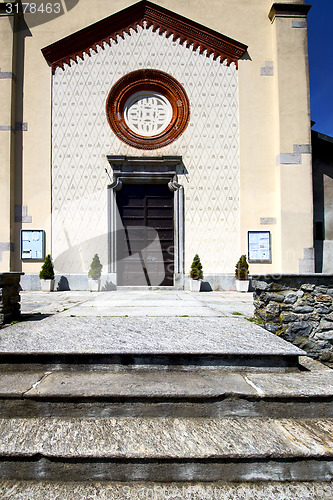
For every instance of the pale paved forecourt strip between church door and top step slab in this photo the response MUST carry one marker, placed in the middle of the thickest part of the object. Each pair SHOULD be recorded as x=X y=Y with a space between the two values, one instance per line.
x=139 y=303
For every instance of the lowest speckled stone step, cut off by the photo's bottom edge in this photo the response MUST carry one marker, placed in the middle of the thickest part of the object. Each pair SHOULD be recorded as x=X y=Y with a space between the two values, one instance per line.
x=44 y=490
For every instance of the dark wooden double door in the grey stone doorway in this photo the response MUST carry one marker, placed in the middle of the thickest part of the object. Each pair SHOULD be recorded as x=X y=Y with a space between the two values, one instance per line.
x=145 y=249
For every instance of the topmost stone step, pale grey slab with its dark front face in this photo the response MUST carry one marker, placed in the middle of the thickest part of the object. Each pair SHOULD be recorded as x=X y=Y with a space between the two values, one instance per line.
x=148 y=343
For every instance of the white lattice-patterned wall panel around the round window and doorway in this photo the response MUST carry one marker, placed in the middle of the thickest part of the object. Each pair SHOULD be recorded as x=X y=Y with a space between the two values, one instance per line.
x=81 y=139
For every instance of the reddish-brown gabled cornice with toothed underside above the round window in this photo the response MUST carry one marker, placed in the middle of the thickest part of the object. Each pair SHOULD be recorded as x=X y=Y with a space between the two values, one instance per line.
x=142 y=14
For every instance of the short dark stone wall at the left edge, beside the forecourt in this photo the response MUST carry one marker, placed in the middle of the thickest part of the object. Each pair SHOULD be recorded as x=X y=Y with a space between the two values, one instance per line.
x=10 y=306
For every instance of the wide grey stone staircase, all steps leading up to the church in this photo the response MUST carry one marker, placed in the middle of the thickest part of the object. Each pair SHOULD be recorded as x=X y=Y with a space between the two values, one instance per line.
x=220 y=406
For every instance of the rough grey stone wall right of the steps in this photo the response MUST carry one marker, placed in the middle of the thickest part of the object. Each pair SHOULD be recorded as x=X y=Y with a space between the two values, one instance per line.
x=298 y=308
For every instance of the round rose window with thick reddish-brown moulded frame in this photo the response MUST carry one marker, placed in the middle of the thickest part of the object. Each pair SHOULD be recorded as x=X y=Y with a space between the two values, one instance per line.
x=148 y=109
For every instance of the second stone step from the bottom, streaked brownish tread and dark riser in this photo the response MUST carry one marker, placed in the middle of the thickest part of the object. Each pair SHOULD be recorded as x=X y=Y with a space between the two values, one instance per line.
x=166 y=449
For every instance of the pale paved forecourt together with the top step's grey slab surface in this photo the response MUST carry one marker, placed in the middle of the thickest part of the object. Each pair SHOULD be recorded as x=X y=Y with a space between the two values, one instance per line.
x=139 y=322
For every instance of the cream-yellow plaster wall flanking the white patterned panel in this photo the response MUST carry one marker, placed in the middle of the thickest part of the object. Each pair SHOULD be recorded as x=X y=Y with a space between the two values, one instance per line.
x=274 y=116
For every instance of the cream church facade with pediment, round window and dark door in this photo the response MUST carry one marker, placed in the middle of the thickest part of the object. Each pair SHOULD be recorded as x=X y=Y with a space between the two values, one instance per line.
x=151 y=132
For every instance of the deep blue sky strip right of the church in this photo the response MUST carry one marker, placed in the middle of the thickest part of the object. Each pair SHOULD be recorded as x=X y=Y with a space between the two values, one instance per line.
x=320 y=33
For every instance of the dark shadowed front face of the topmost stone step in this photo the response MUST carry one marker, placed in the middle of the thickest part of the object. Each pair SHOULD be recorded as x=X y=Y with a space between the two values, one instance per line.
x=149 y=362
